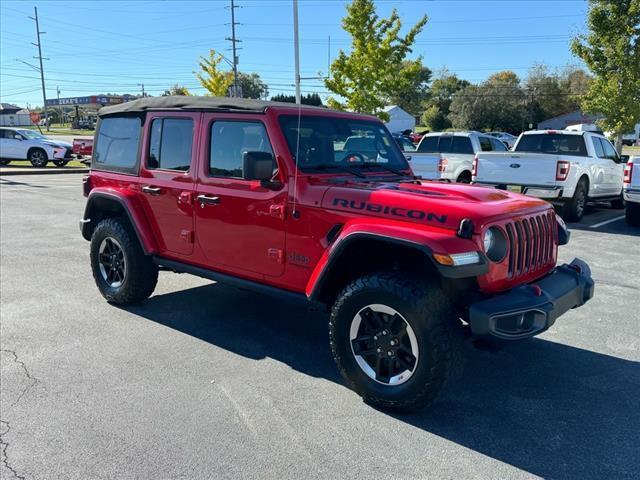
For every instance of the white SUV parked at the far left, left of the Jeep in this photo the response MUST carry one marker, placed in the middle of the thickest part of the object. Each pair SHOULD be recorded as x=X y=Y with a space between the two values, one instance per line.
x=24 y=144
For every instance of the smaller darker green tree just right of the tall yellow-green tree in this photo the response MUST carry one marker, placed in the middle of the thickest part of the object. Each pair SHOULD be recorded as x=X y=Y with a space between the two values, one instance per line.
x=412 y=89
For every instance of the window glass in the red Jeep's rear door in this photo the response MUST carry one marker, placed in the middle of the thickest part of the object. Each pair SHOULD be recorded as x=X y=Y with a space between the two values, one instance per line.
x=171 y=143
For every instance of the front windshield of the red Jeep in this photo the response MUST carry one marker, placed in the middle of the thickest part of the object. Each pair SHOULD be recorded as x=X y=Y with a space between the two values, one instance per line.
x=327 y=142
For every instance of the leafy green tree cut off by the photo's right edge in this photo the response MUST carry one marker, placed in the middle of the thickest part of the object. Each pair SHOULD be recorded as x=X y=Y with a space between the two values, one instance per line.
x=611 y=50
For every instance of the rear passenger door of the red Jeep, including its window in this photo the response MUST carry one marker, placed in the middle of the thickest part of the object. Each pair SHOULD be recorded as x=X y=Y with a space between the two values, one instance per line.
x=167 y=178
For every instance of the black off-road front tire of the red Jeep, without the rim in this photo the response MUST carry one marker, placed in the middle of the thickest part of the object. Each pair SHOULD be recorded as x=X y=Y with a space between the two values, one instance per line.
x=434 y=322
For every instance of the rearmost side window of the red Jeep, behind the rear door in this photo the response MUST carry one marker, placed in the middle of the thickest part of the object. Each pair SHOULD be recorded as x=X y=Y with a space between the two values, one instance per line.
x=117 y=144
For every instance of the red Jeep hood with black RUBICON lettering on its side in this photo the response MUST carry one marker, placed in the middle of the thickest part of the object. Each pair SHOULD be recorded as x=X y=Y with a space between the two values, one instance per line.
x=436 y=204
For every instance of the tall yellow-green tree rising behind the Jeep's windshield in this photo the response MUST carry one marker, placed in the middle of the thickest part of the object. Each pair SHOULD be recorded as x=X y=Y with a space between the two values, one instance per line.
x=374 y=69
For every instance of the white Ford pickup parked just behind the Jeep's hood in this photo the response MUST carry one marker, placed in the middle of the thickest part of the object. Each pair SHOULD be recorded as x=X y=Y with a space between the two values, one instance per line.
x=567 y=168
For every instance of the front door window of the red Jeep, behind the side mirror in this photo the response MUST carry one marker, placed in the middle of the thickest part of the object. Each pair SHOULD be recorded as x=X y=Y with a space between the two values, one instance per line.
x=230 y=140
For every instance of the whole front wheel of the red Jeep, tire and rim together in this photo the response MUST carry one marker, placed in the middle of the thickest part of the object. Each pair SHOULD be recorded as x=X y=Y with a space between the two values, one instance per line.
x=394 y=339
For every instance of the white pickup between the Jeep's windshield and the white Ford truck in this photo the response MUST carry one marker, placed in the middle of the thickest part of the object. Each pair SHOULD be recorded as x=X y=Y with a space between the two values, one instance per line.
x=449 y=155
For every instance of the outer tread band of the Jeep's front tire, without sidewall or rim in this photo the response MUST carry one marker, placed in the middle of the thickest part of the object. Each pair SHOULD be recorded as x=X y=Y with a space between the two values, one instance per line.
x=444 y=335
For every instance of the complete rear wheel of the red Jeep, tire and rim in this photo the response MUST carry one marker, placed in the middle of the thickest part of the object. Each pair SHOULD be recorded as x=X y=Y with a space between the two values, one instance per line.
x=123 y=273
